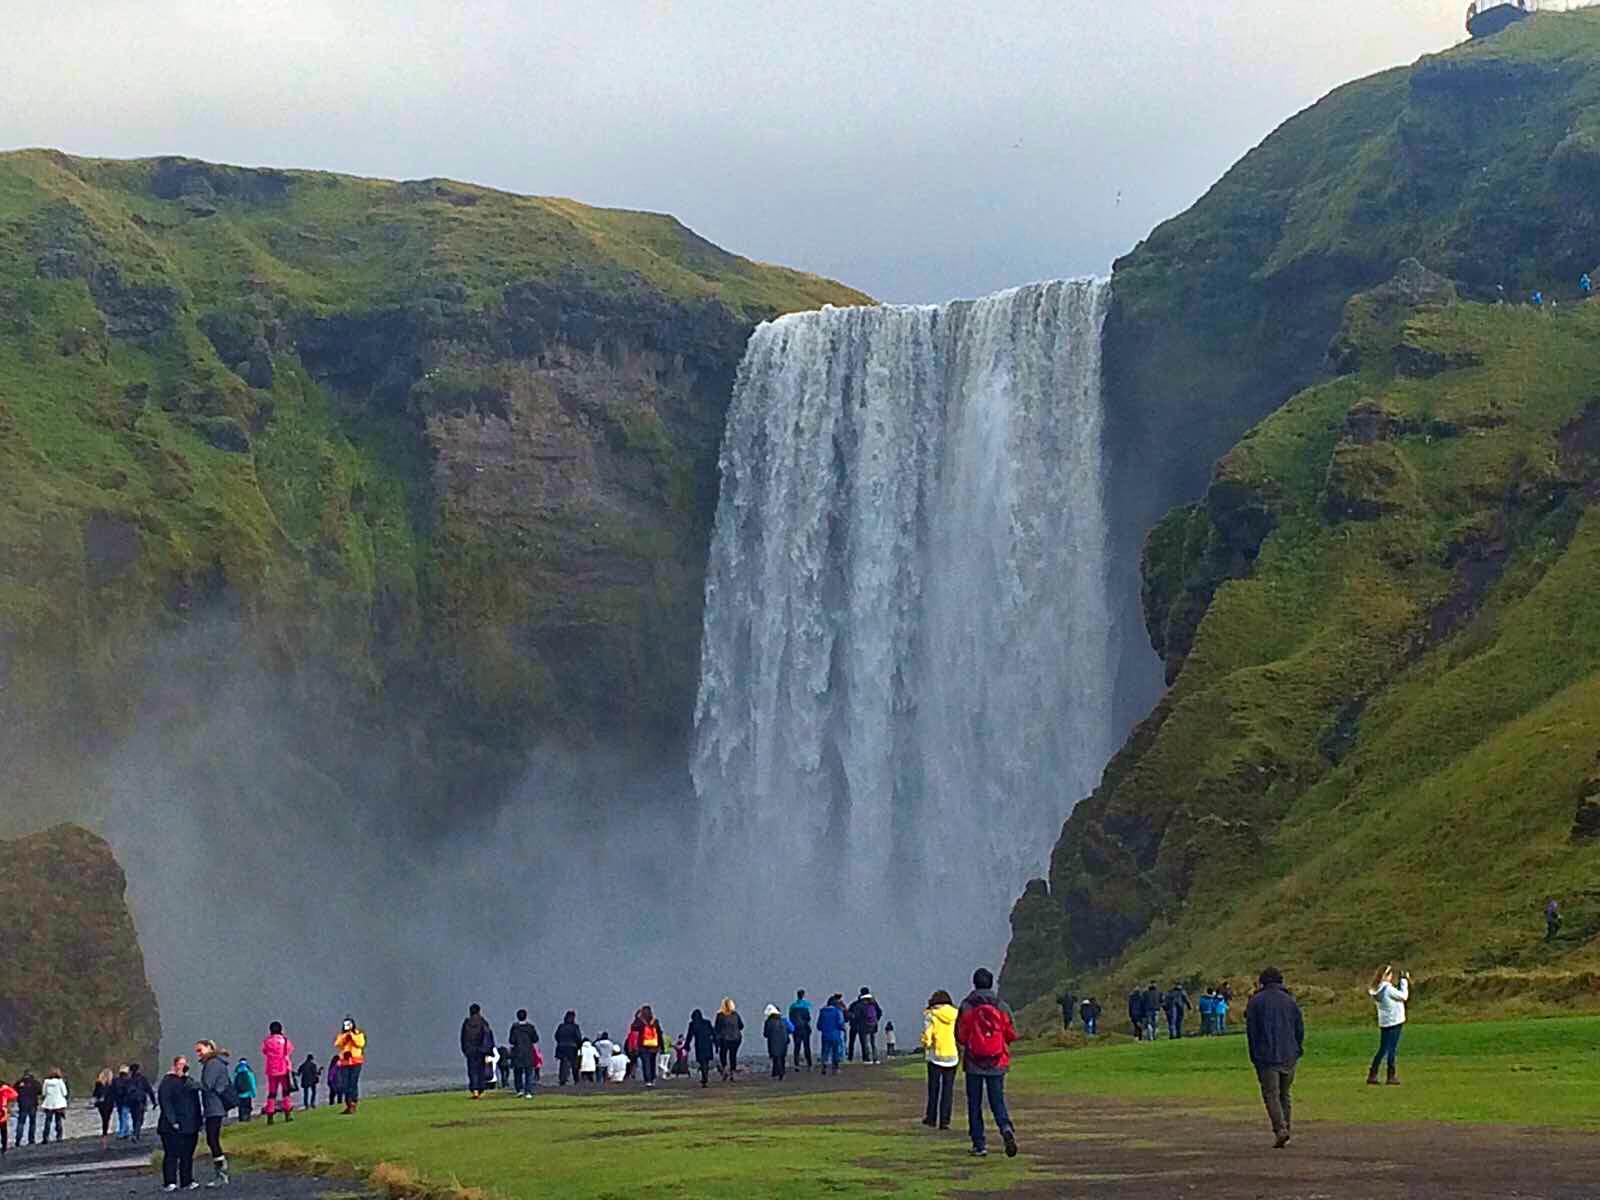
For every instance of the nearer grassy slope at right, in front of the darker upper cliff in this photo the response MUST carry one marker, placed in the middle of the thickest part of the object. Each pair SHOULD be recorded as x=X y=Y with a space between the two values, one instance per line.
x=1386 y=638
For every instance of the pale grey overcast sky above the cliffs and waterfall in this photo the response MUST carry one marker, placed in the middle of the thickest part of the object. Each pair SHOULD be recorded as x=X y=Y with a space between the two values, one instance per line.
x=919 y=150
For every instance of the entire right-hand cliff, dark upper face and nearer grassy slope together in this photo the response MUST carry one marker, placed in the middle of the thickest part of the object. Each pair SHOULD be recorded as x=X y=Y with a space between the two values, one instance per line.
x=1361 y=554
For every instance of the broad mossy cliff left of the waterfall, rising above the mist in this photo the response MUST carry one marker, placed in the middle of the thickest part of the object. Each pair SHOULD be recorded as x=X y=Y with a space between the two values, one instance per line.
x=449 y=449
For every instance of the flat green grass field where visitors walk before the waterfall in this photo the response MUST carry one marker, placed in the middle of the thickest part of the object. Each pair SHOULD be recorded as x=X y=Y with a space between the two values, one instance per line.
x=860 y=1135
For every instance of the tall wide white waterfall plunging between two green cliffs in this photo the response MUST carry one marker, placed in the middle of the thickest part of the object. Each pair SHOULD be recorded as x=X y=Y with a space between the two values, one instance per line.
x=908 y=671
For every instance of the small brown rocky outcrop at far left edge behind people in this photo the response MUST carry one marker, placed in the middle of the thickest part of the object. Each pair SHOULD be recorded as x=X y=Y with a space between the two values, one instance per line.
x=73 y=986
